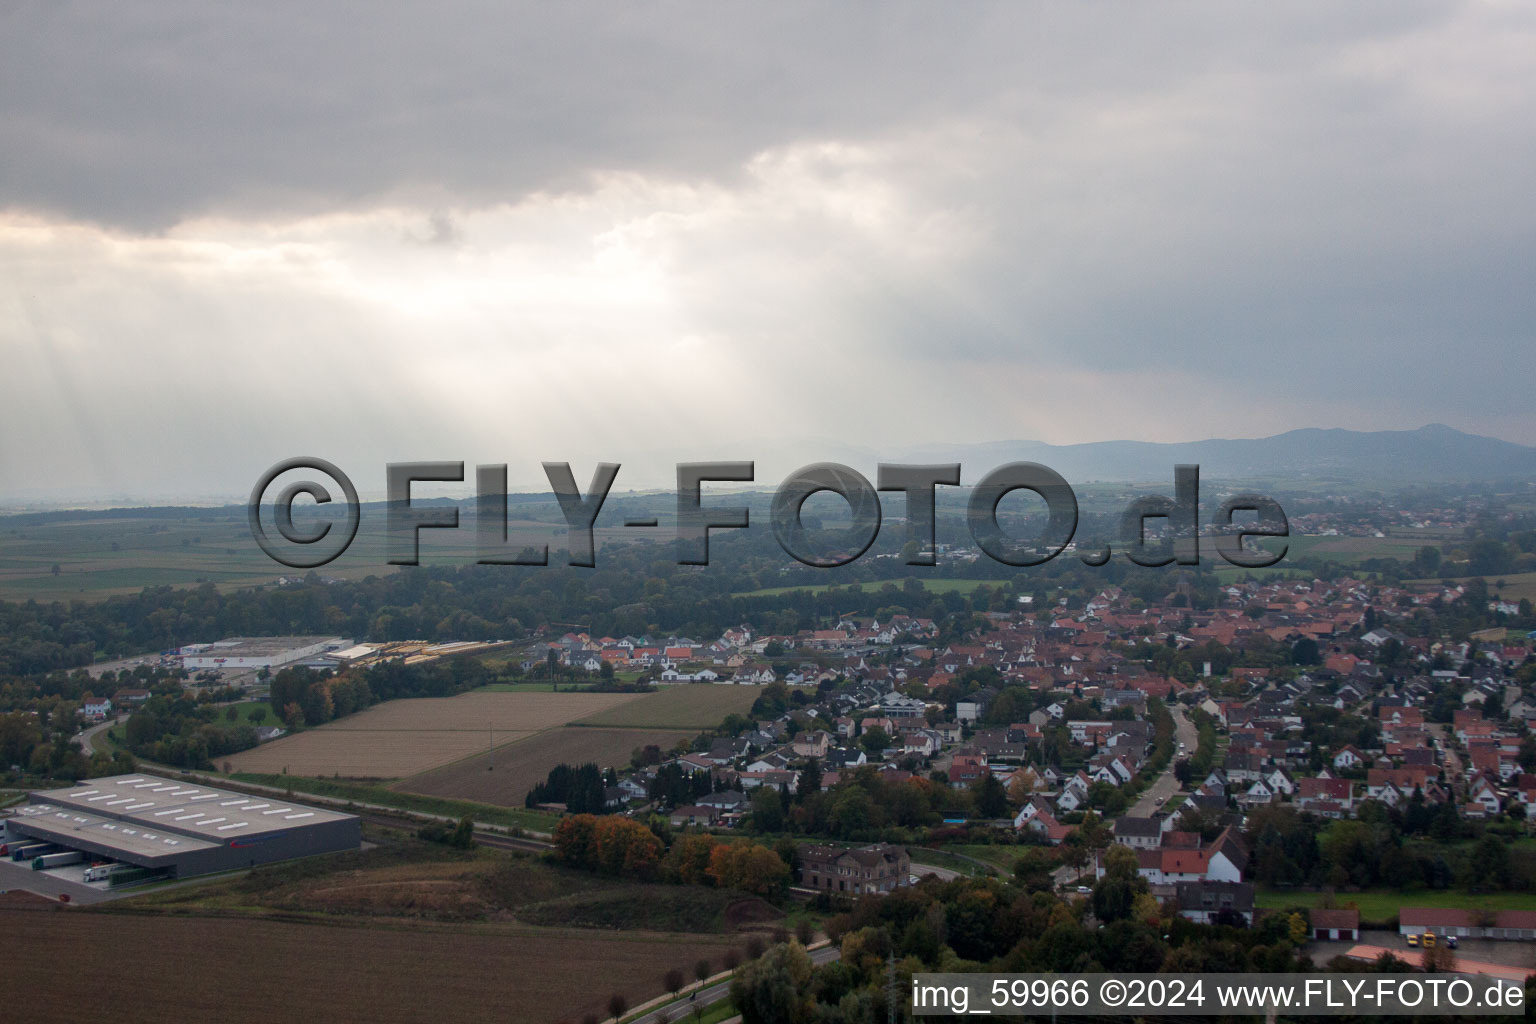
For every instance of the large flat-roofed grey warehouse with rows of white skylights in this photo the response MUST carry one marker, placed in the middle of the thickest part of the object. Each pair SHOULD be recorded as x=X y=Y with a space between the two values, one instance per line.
x=179 y=828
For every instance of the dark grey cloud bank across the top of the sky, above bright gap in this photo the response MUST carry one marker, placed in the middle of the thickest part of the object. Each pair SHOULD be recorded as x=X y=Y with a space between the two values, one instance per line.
x=148 y=113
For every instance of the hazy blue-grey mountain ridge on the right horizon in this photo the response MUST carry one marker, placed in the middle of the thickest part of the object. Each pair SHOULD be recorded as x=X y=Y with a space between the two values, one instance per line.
x=1435 y=454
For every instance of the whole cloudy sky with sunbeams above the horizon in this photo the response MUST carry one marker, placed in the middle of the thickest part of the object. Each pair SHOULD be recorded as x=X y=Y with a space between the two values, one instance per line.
x=660 y=233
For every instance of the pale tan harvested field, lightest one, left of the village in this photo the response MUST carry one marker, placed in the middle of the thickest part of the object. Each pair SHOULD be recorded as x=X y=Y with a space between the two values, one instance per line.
x=405 y=738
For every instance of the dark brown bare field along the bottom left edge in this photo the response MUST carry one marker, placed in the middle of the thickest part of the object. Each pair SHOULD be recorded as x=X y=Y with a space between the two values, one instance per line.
x=153 y=969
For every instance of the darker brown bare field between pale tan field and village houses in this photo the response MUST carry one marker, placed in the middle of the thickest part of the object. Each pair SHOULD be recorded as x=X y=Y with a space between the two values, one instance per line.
x=506 y=775
